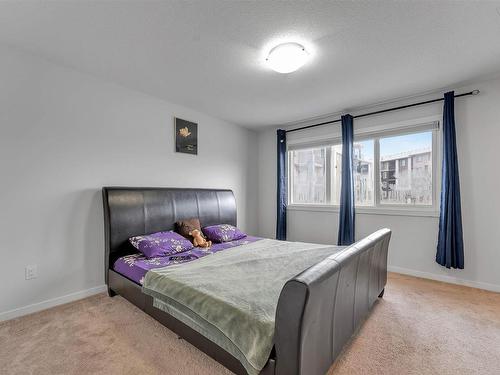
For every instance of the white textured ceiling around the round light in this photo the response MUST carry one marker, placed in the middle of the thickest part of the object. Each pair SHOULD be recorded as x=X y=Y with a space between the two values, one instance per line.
x=209 y=55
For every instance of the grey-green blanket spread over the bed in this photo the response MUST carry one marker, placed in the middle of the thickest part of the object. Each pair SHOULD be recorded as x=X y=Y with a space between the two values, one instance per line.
x=231 y=297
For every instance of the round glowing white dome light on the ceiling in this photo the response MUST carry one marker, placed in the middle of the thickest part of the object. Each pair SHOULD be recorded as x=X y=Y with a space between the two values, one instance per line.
x=287 y=57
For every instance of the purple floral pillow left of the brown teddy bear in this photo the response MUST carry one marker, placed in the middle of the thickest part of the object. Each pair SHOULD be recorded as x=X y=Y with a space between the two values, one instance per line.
x=160 y=244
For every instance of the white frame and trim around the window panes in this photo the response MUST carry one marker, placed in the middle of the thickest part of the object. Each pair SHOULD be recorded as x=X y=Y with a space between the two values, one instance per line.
x=376 y=133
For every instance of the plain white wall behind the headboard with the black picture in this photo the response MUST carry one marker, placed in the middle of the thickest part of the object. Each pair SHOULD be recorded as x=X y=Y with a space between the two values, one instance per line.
x=64 y=135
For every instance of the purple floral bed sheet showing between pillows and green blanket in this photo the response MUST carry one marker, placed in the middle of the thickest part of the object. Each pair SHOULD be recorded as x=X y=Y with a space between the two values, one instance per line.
x=135 y=266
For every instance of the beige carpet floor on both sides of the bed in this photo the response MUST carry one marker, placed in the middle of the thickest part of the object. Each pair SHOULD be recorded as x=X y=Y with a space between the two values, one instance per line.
x=419 y=327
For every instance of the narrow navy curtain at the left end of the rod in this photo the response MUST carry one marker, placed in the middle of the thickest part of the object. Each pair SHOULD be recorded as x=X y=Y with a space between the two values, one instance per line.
x=281 y=196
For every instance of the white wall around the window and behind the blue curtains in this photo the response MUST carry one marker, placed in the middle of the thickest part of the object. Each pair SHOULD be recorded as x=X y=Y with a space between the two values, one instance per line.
x=413 y=245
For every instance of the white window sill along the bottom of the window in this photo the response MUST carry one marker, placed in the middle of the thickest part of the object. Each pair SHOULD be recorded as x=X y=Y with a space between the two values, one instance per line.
x=391 y=211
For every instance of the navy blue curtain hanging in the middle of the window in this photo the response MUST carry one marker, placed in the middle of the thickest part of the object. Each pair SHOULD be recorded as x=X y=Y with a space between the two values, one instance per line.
x=346 y=216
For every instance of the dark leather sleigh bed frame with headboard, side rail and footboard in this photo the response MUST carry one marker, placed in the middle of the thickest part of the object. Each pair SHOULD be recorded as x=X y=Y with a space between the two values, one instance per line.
x=318 y=310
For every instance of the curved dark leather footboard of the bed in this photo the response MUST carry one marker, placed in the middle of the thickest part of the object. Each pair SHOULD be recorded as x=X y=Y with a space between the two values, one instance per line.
x=320 y=309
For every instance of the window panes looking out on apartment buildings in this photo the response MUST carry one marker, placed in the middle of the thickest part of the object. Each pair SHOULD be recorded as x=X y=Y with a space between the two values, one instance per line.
x=390 y=169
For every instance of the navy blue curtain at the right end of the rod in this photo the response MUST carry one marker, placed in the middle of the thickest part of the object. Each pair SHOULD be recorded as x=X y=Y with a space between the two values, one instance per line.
x=450 y=248
